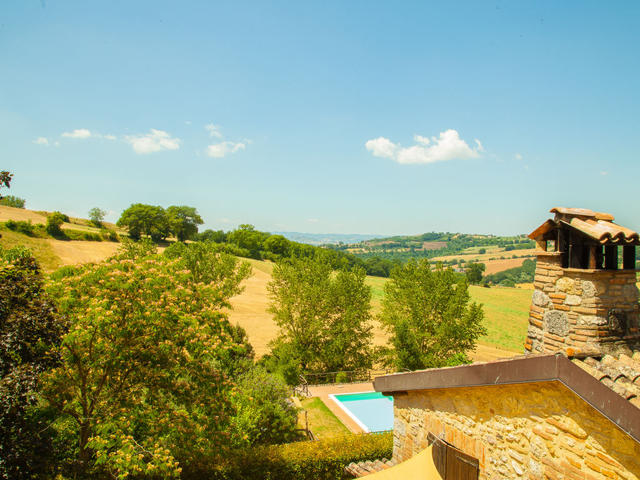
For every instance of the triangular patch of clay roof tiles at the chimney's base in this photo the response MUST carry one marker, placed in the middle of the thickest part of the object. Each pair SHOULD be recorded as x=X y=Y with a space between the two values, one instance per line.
x=621 y=374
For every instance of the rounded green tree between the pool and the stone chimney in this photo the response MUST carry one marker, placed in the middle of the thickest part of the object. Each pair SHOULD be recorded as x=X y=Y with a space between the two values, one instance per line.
x=429 y=316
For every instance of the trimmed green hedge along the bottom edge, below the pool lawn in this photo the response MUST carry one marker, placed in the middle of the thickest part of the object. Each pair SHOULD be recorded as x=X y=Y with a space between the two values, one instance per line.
x=324 y=459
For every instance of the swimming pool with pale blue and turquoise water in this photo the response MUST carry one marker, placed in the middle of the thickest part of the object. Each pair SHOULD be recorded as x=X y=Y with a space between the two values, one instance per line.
x=372 y=411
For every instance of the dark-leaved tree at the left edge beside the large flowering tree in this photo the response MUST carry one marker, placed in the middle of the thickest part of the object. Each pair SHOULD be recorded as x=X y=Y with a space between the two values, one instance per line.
x=29 y=332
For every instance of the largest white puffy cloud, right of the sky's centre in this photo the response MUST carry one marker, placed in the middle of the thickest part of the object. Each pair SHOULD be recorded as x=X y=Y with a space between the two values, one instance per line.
x=447 y=146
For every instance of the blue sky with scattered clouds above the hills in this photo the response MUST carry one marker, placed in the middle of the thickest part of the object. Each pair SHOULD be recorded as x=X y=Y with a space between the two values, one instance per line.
x=344 y=117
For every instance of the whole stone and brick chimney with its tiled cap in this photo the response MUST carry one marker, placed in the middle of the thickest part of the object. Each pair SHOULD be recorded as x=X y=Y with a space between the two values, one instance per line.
x=585 y=300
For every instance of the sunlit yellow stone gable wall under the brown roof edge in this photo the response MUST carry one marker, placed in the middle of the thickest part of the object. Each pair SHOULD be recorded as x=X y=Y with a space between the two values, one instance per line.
x=531 y=431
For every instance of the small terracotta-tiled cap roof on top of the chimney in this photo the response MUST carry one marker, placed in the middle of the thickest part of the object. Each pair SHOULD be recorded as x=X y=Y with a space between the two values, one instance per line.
x=596 y=225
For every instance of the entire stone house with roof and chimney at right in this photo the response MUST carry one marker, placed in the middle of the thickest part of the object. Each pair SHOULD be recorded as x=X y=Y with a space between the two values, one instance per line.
x=567 y=409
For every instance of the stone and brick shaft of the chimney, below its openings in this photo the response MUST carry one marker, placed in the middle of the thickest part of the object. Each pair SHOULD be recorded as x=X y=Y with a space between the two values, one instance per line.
x=575 y=310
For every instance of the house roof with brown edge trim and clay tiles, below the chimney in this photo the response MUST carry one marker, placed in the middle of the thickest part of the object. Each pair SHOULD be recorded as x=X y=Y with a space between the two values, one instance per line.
x=616 y=399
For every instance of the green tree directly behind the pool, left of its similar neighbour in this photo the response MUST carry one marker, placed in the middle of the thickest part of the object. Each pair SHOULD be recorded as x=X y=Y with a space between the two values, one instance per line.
x=323 y=318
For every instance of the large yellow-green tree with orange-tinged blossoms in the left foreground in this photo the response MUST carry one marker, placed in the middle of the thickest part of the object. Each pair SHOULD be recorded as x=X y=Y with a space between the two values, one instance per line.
x=143 y=381
